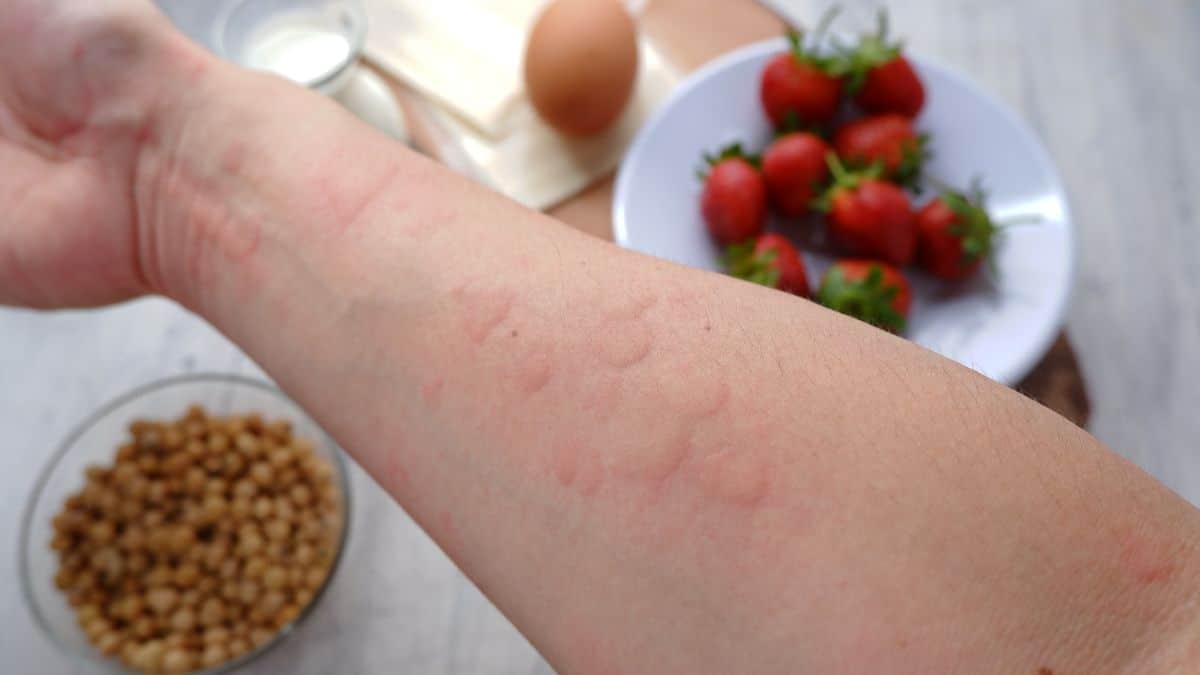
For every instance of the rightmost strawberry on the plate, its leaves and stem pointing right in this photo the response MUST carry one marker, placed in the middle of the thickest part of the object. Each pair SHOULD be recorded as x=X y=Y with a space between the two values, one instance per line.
x=955 y=235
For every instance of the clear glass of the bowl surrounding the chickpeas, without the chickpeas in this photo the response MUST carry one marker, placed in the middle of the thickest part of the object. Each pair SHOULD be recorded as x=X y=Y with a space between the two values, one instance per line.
x=95 y=441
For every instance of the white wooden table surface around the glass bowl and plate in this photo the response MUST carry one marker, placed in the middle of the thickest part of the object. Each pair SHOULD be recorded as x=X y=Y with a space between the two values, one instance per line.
x=1112 y=87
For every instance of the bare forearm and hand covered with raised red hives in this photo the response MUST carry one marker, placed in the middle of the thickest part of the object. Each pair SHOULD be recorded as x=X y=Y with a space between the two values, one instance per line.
x=649 y=469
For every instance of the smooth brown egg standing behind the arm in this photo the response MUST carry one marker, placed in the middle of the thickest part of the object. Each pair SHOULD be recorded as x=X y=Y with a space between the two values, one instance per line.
x=581 y=64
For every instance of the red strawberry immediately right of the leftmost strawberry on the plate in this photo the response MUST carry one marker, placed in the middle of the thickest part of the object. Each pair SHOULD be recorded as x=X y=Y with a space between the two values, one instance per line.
x=795 y=169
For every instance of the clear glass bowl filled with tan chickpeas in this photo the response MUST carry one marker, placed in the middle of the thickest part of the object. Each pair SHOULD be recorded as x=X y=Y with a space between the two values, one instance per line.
x=187 y=527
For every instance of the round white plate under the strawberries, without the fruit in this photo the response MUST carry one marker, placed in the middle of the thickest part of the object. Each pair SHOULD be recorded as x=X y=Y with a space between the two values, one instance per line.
x=1000 y=326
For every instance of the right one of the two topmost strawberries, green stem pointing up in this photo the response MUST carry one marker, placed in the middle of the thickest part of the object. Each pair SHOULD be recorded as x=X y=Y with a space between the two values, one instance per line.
x=880 y=77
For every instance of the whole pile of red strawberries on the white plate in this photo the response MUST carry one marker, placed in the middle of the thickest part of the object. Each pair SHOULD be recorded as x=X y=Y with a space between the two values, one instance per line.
x=847 y=150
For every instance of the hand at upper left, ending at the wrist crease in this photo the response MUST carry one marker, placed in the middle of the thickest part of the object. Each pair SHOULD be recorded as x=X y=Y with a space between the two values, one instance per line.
x=82 y=93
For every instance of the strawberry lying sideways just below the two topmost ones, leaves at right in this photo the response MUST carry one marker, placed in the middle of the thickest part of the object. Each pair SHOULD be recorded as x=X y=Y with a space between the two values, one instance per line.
x=889 y=140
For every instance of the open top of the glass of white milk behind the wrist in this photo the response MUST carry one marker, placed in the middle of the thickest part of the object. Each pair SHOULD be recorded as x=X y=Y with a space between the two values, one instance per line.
x=315 y=44
